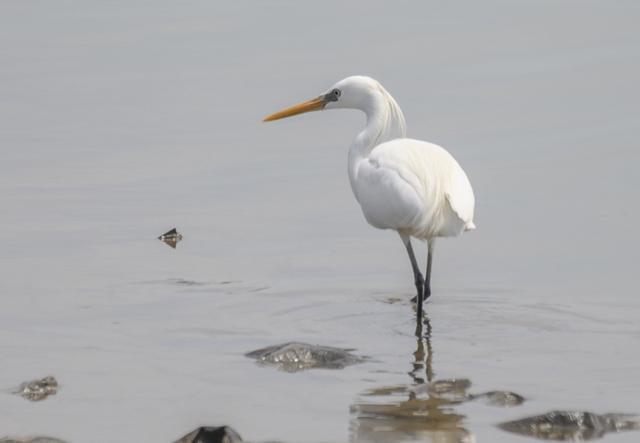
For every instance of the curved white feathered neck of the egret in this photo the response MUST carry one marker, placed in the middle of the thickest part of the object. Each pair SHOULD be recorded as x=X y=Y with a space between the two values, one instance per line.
x=385 y=122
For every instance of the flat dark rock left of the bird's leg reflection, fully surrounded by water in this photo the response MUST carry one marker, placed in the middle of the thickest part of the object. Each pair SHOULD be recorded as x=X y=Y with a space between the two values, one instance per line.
x=293 y=357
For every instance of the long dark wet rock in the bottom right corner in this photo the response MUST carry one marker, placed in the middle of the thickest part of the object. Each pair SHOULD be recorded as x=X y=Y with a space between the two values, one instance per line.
x=571 y=425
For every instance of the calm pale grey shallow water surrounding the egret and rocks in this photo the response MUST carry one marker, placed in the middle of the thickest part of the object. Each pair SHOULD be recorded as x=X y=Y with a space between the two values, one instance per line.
x=120 y=121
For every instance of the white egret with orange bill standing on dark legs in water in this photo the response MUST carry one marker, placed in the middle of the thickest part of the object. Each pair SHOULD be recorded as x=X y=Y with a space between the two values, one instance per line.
x=414 y=187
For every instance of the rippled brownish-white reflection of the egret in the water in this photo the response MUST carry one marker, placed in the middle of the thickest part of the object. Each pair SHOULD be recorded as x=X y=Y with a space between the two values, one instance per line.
x=420 y=411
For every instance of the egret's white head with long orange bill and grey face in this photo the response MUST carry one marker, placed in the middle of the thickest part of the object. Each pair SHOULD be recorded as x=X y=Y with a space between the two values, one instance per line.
x=352 y=92
